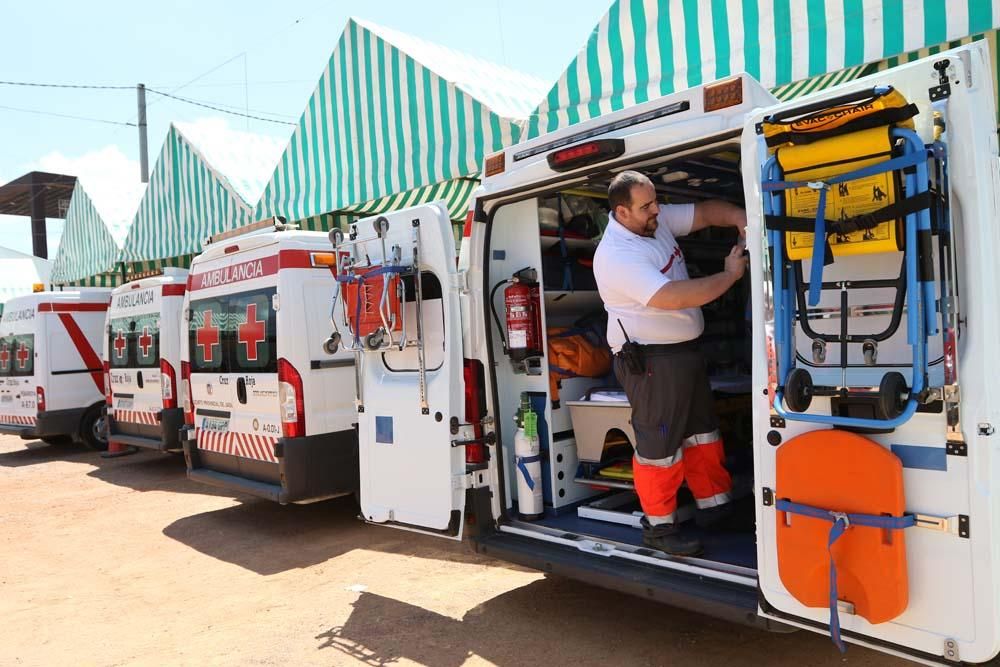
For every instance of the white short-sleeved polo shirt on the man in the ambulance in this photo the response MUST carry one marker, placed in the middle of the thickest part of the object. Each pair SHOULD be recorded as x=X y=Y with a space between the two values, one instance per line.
x=630 y=269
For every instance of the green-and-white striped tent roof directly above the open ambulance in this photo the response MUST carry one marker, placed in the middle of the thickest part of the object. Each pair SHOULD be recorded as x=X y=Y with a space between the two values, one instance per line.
x=643 y=49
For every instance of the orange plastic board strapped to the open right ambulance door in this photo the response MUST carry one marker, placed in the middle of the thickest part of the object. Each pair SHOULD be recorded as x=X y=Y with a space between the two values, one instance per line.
x=845 y=472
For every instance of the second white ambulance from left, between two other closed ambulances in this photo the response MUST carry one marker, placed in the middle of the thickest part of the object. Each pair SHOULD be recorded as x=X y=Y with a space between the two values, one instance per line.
x=142 y=357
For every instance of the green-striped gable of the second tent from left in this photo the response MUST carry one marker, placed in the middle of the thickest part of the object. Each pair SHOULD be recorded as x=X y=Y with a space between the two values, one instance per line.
x=187 y=200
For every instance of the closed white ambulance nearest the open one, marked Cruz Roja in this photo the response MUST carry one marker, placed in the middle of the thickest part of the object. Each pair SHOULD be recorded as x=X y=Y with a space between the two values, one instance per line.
x=271 y=413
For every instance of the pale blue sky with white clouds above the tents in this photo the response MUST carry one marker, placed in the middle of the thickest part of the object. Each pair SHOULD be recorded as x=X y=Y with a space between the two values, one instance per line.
x=263 y=55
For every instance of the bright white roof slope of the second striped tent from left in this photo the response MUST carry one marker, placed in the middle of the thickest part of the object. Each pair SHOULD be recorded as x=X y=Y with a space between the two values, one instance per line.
x=247 y=159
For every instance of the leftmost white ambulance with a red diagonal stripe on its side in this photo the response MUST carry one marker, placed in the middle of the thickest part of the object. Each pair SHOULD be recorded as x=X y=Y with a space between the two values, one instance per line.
x=53 y=381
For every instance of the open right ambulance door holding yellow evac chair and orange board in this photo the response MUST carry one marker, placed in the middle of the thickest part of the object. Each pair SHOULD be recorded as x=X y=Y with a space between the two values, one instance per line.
x=892 y=477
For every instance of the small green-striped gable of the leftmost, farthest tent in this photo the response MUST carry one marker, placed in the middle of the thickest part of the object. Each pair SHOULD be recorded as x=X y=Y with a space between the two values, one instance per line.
x=88 y=253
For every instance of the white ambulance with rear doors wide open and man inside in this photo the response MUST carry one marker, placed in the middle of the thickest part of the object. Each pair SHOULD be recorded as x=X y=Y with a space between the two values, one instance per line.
x=870 y=416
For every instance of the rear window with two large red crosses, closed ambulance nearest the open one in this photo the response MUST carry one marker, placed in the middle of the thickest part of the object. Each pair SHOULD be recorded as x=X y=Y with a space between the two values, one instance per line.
x=234 y=333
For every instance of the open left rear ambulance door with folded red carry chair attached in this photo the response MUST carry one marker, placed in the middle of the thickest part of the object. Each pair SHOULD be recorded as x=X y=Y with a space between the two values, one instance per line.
x=412 y=475
